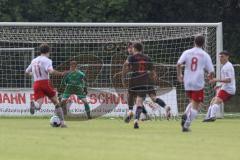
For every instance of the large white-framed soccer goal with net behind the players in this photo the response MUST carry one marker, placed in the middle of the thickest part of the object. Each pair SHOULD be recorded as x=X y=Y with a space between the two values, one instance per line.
x=100 y=50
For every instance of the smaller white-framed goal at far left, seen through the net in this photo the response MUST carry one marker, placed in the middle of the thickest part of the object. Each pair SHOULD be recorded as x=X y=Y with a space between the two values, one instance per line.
x=13 y=63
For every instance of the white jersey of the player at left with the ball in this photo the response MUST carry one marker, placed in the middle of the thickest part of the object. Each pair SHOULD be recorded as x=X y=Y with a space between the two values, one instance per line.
x=40 y=67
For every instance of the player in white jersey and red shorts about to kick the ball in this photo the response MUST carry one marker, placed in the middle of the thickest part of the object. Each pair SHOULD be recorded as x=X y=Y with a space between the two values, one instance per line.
x=40 y=68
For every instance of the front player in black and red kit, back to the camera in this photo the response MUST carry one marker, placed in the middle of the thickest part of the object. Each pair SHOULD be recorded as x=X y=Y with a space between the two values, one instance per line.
x=142 y=79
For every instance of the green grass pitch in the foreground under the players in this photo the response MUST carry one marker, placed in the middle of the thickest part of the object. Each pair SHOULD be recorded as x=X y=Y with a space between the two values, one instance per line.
x=106 y=139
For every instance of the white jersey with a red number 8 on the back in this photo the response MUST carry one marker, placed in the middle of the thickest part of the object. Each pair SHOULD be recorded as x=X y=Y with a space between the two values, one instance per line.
x=196 y=61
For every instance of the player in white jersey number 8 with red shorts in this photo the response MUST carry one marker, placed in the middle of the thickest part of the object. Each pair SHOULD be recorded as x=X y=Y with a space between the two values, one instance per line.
x=196 y=62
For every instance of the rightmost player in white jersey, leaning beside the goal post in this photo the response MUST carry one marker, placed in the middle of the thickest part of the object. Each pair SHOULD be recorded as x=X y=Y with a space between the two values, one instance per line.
x=225 y=89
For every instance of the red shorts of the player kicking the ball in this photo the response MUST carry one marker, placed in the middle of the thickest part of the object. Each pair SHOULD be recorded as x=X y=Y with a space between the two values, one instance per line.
x=43 y=88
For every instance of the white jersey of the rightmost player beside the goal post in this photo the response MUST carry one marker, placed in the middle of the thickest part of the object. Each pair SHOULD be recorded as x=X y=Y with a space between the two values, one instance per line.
x=227 y=71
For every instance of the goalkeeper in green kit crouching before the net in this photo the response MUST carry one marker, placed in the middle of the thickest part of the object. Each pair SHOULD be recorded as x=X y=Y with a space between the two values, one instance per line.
x=75 y=82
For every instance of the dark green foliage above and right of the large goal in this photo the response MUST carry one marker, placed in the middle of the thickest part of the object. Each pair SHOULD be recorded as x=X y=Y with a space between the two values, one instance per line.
x=129 y=11
